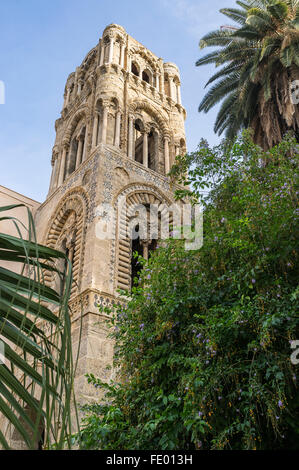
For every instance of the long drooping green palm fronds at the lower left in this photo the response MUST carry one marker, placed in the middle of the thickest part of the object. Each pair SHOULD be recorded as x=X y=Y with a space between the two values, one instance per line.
x=36 y=366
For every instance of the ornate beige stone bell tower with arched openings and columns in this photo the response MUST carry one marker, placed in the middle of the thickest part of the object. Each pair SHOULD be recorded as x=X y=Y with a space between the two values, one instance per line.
x=121 y=126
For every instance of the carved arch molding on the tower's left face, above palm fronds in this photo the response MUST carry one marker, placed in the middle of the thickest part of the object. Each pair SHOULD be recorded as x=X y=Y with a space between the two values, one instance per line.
x=69 y=222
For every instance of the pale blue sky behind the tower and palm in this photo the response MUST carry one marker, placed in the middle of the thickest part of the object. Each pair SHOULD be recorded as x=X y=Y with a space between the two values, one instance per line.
x=42 y=41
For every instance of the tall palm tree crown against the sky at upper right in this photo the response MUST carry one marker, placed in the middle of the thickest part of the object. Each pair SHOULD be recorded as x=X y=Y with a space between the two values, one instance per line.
x=260 y=68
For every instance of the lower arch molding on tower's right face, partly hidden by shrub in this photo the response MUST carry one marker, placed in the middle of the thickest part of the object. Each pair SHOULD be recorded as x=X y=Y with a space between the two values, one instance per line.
x=135 y=194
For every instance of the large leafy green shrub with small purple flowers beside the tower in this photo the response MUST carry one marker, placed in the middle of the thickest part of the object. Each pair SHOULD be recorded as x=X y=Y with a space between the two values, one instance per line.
x=203 y=345
